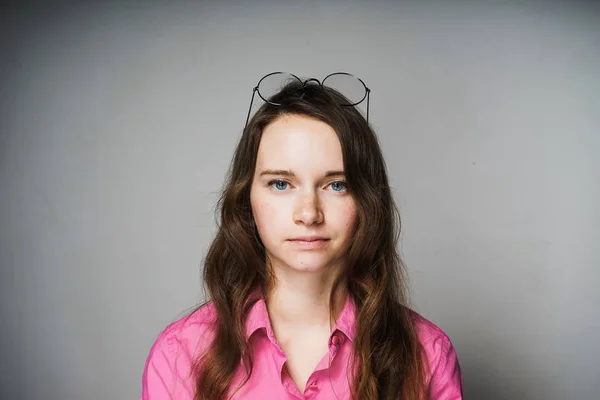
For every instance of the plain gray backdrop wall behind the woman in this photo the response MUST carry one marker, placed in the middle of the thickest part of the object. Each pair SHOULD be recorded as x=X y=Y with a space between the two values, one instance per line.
x=118 y=121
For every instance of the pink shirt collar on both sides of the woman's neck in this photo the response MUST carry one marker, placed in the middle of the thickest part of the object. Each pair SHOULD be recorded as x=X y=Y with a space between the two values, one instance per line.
x=258 y=318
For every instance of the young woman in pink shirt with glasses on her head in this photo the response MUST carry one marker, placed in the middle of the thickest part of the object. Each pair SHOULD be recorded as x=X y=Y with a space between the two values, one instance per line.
x=307 y=295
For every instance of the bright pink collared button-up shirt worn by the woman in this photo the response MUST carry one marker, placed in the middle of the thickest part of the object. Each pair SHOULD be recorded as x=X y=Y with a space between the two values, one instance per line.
x=167 y=372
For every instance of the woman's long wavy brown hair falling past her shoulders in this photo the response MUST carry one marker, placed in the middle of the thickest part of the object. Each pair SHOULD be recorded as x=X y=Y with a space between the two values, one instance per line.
x=390 y=364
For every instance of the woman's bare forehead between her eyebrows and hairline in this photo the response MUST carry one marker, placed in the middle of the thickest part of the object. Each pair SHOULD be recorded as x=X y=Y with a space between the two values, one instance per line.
x=301 y=144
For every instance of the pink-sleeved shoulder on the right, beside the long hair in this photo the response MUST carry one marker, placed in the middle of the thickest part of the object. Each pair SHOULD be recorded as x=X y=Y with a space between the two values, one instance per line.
x=443 y=370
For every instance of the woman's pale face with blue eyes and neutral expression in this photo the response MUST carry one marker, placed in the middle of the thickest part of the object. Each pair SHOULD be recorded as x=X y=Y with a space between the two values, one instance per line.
x=304 y=213
